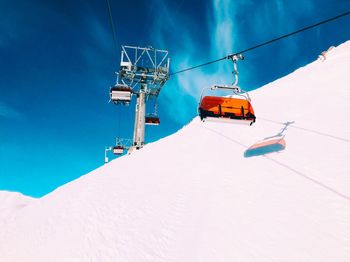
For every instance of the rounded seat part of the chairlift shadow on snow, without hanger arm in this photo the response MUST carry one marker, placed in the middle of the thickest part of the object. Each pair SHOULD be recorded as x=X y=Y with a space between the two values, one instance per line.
x=266 y=147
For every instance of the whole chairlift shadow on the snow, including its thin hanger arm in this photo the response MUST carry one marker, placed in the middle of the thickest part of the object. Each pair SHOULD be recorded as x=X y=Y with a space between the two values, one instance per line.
x=269 y=145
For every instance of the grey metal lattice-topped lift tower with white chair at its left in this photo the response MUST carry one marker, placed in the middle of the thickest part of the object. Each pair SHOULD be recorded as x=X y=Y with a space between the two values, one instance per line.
x=143 y=72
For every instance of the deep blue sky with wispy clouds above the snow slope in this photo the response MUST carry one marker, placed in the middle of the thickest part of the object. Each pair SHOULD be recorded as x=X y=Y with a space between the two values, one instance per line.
x=57 y=61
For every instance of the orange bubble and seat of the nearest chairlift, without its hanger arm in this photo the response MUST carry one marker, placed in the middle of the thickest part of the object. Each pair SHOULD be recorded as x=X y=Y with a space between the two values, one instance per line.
x=226 y=109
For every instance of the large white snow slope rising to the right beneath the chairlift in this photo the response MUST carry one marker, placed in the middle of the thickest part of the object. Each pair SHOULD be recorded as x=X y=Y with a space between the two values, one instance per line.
x=194 y=196
